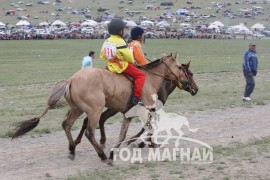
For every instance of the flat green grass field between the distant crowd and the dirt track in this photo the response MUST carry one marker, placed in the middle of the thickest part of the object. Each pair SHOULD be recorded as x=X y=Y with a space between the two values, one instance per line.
x=29 y=70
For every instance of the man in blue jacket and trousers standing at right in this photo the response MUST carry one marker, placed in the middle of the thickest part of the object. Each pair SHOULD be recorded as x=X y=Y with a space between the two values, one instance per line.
x=250 y=64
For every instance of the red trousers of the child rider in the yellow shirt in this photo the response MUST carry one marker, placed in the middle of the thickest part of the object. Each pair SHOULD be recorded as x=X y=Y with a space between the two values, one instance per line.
x=138 y=77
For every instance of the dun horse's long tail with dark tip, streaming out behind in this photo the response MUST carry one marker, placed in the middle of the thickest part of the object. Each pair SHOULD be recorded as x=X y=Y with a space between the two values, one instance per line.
x=61 y=88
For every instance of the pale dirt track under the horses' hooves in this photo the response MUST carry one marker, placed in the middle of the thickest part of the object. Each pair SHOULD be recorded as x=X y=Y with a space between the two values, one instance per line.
x=47 y=156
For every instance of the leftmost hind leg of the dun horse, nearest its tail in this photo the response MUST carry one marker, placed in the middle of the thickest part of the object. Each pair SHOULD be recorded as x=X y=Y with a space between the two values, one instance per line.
x=67 y=124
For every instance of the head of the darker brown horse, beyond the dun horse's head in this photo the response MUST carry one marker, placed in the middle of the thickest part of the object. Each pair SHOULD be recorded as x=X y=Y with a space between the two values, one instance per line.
x=186 y=78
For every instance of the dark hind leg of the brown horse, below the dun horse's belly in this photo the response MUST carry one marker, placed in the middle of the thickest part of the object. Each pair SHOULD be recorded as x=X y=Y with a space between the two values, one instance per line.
x=104 y=116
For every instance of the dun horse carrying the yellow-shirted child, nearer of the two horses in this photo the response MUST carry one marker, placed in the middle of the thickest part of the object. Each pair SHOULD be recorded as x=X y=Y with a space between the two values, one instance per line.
x=90 y=90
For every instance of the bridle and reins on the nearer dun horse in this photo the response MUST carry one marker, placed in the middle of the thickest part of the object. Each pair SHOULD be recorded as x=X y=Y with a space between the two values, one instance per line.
x=176 y=81
